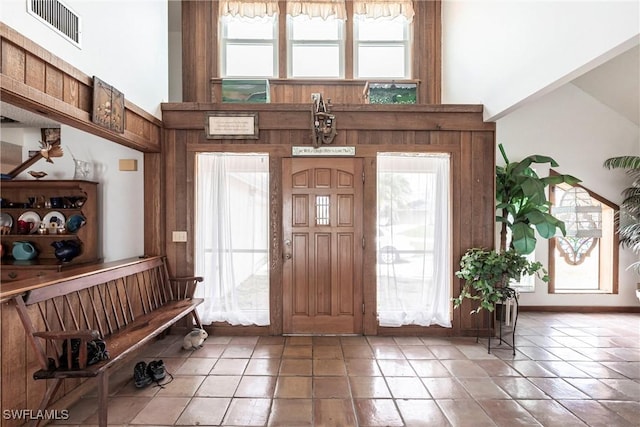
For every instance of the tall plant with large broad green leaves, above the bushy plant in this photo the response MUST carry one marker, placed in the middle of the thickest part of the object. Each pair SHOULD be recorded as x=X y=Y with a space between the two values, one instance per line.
x=522 y=203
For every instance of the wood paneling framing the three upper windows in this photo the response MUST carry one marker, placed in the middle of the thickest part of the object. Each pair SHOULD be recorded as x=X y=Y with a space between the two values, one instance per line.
x=201 y=74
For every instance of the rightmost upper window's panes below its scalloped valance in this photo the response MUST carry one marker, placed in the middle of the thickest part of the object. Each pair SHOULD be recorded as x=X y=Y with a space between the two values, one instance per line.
x=381 y=47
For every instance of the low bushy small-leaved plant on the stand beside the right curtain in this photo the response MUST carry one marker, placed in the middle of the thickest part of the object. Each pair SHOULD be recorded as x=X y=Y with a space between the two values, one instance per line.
x=487 y=274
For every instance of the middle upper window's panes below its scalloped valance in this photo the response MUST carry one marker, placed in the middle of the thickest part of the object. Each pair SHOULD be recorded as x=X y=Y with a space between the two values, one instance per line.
x=316 y=47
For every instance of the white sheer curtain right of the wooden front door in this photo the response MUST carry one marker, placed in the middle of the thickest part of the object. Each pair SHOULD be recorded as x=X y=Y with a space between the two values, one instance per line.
x=414 y=256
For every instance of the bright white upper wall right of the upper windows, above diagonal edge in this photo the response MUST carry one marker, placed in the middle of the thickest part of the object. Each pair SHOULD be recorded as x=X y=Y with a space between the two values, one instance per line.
x=501 y=53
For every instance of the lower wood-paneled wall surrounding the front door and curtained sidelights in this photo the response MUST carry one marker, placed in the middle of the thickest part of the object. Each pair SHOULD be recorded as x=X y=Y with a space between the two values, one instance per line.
x=457 y=130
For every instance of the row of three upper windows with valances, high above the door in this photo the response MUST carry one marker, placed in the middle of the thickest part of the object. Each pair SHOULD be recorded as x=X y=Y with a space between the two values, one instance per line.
x=316 y=38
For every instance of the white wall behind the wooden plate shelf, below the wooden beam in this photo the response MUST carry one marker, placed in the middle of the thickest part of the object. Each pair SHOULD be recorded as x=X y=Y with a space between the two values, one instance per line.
x=120 y=204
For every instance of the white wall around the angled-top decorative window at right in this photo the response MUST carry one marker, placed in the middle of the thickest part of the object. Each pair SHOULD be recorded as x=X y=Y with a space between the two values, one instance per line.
x=579 y=133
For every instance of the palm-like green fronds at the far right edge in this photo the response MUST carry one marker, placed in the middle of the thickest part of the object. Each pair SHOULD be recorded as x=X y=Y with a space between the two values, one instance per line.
x=628 y=218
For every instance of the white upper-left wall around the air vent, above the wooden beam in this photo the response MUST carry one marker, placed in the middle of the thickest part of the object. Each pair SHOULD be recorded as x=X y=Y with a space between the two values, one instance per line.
x=124 y=43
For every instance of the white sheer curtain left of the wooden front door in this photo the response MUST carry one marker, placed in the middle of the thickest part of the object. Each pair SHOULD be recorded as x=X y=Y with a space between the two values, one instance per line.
x=232 y=237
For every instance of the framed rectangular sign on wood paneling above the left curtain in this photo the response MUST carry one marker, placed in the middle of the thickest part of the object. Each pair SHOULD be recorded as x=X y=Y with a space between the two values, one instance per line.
x=228 y=125
